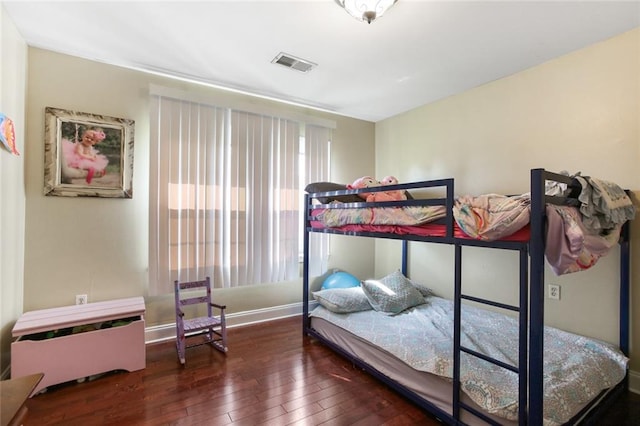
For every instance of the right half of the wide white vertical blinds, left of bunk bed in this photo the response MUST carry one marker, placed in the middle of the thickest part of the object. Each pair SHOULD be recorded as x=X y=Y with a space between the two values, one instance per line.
x=264 y=166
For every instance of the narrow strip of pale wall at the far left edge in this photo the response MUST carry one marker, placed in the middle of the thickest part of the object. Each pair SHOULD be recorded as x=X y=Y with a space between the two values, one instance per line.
x=13 y=68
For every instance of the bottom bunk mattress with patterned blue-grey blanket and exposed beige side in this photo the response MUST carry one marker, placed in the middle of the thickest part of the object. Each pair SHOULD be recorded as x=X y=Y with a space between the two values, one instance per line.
x=580 y=371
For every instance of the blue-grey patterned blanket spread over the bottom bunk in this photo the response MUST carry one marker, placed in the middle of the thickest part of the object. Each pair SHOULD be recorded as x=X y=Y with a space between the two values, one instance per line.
x=576 y=368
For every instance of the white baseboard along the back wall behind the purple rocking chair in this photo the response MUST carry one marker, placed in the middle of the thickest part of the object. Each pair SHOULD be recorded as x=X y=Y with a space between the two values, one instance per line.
x=161 y=333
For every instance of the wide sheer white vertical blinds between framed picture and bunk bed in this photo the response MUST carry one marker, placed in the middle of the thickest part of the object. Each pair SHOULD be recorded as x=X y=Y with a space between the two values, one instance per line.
x=224 y=196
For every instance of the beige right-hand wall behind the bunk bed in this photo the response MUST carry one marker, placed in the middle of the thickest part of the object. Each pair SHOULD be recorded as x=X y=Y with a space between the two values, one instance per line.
x=579 y=112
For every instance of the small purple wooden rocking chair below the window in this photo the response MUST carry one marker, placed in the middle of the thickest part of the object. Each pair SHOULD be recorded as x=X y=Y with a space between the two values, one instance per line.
x=210 y=329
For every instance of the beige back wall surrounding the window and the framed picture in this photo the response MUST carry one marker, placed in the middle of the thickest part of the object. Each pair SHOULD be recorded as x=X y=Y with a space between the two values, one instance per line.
x=98 y=246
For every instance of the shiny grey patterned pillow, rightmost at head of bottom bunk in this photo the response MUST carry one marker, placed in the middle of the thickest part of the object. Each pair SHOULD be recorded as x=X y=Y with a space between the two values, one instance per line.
x=392 y=294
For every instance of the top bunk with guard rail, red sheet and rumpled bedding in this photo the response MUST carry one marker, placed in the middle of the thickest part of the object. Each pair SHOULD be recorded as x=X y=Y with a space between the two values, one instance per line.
x=590 y=211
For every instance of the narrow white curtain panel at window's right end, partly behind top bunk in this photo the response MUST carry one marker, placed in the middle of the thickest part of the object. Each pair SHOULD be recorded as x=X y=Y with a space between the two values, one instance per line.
x=317 y=160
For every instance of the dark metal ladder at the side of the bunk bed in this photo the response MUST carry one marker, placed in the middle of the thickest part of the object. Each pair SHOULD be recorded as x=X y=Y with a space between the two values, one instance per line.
x=458 y=348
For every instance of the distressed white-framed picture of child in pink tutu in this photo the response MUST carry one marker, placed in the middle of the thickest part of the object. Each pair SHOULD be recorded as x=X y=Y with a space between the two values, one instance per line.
x=87 y=155
